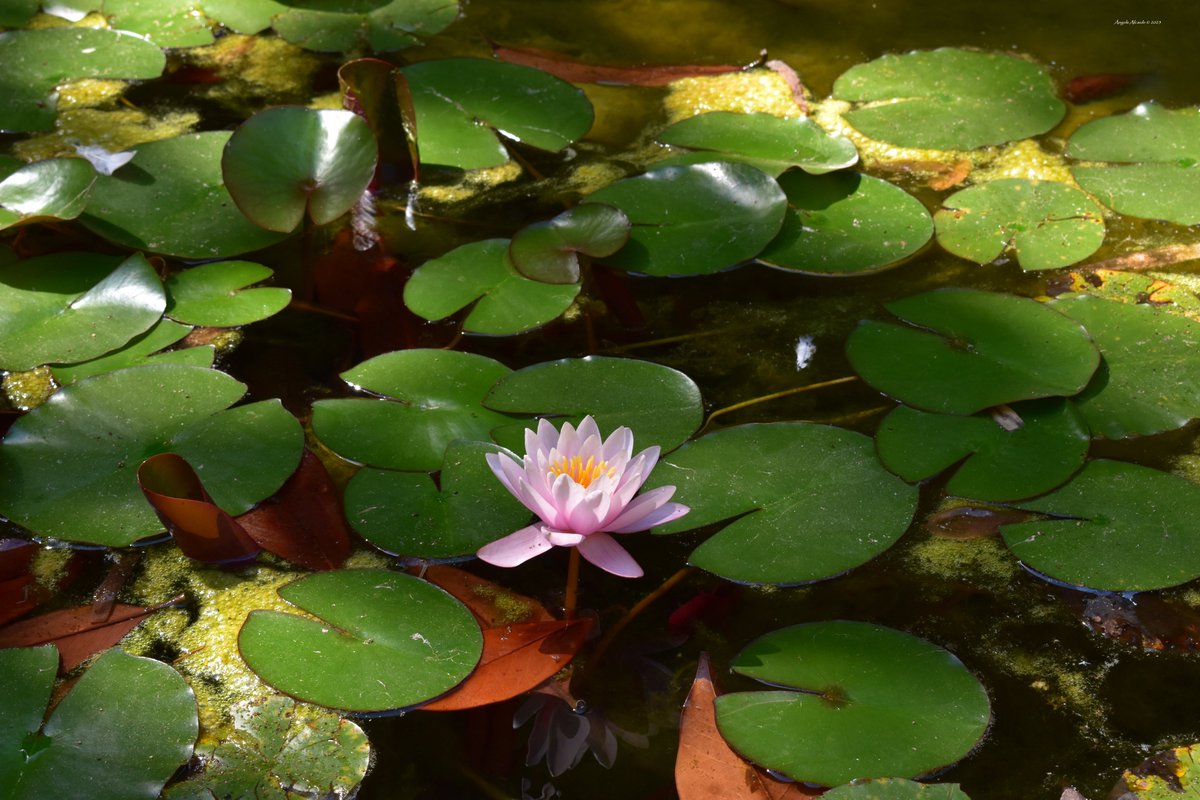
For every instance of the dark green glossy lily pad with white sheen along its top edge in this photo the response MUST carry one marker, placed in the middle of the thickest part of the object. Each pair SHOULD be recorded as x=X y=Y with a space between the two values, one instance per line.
x=695 y=220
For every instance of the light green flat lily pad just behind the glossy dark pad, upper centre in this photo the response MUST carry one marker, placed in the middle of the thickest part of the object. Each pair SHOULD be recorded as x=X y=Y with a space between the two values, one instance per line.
x=767 y=142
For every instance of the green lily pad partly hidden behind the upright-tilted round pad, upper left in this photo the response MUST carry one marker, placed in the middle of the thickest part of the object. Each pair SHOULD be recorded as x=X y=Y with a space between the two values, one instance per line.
x=172 y=200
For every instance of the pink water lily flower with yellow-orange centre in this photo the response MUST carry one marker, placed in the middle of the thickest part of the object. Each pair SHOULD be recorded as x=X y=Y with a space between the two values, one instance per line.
x=583 y=489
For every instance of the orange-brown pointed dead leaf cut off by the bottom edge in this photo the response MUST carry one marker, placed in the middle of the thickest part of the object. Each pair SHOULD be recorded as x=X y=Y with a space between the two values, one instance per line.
x=707 y=768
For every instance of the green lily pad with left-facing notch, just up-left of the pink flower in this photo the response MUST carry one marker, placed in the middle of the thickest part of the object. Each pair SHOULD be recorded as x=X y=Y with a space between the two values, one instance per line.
x=429 y=400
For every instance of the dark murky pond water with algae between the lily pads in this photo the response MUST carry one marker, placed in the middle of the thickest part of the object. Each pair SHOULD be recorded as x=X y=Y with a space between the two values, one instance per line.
x=1070 y=707
